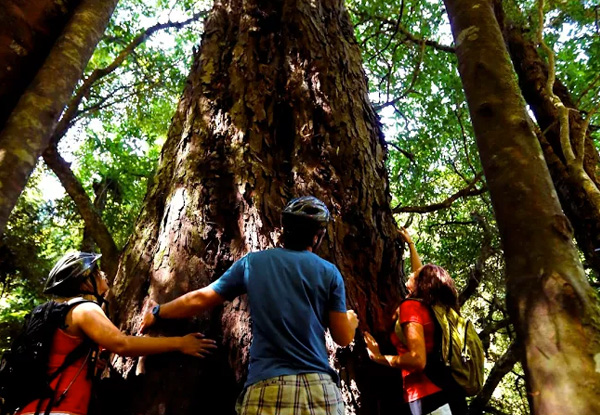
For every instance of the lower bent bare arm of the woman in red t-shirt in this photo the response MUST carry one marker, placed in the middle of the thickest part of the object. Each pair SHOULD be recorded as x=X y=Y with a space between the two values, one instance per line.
x=414 y=359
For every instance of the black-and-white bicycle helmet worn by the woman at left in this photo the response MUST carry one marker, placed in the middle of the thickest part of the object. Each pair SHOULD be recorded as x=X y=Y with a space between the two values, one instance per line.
x=69 y=272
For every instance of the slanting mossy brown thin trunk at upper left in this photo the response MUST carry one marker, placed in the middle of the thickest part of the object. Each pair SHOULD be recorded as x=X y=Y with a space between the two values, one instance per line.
x=28 y=130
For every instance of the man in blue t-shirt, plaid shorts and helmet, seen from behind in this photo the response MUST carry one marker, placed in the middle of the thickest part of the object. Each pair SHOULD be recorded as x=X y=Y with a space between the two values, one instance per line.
x=294 y=296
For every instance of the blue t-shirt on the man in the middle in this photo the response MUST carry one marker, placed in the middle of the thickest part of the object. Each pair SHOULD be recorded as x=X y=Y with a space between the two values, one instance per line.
x=290 y=295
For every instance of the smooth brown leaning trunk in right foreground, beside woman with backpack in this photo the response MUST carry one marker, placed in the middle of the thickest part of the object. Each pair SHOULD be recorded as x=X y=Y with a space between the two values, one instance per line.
x=551 y=304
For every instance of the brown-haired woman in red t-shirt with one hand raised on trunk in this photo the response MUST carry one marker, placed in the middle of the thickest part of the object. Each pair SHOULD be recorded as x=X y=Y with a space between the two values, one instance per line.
x=415 y=337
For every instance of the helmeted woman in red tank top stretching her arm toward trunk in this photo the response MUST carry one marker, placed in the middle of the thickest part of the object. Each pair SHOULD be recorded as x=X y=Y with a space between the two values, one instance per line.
x=74 y=276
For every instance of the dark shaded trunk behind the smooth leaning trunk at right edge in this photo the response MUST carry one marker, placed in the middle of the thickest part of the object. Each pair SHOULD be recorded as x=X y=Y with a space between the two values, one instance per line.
x=577 y=204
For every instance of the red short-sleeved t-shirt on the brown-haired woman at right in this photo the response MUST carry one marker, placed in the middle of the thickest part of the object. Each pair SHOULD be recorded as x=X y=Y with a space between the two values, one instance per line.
x=416 y=384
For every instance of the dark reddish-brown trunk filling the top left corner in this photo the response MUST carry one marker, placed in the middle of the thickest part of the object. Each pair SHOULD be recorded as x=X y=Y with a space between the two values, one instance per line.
x=28 y=30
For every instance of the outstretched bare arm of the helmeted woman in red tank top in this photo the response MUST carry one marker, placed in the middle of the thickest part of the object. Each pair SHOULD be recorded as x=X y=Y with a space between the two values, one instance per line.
x=92 y=321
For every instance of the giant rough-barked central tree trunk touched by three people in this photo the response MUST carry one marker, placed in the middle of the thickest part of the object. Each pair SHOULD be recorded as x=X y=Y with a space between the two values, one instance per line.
x=276 y=106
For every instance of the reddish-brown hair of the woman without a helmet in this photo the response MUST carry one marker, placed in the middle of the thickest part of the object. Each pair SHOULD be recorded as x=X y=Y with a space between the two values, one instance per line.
x=433 y=285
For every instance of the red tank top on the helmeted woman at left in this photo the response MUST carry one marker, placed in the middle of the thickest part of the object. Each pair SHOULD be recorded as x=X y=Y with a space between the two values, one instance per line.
x=77 y=398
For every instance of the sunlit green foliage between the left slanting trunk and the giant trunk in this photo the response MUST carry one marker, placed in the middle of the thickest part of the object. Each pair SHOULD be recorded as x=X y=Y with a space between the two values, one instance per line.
x=116 y=136
